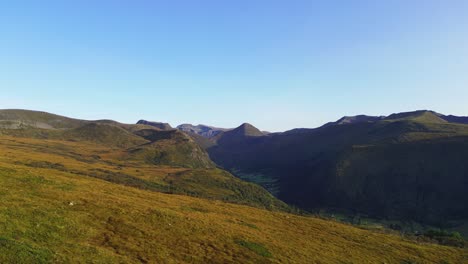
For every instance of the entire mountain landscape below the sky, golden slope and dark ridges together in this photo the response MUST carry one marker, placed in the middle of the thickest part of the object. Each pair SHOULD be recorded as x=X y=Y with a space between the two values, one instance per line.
x=102 y=191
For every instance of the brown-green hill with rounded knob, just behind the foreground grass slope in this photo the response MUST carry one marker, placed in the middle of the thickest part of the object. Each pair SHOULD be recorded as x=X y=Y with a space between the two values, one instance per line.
x=185 y=167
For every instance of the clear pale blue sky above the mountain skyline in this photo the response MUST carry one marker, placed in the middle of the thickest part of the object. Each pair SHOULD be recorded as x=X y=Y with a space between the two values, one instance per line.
x=275 y=64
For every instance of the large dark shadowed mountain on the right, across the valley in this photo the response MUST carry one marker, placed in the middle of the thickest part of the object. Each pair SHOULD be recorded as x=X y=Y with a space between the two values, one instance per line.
x=407 y=166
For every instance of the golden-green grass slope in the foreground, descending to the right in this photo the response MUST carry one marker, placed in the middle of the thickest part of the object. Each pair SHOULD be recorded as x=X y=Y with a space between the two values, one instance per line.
x=101 y=221
